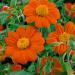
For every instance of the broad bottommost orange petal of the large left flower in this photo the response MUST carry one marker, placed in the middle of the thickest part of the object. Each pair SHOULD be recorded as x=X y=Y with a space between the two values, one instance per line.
x=20 y=57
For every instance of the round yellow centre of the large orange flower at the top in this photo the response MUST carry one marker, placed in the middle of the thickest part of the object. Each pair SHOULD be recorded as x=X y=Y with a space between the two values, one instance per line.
x=42 y=10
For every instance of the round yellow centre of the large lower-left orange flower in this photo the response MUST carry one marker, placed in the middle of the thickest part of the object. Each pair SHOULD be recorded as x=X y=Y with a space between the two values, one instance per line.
x=23 y=43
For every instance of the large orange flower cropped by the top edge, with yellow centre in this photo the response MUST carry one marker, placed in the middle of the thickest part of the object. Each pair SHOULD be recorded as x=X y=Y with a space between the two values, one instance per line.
x=41 y=12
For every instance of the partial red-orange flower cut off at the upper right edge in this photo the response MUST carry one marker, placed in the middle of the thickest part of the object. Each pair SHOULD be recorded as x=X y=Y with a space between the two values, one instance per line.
x=70 y=9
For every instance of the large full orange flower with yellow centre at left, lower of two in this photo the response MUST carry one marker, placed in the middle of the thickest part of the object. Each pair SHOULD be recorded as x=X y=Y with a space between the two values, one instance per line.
x=24 y=44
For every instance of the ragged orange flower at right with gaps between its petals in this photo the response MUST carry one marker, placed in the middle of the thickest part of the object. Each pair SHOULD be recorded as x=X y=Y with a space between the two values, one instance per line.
x=62 y=35
